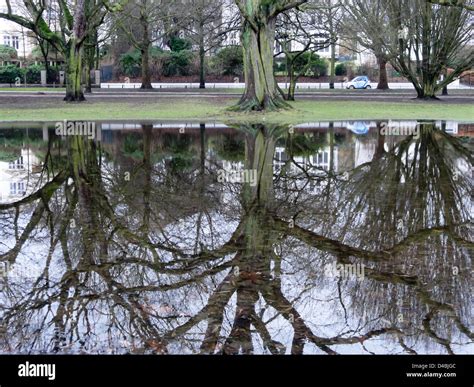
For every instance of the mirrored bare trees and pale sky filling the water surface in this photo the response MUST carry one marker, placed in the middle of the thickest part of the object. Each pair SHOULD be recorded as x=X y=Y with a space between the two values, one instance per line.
x=172 y=261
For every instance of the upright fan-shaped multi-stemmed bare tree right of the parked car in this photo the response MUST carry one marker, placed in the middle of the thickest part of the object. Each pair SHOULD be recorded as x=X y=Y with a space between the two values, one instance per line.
x=423 y=40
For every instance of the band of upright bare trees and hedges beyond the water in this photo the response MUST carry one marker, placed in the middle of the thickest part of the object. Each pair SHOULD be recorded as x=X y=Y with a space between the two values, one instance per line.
x=426 y=41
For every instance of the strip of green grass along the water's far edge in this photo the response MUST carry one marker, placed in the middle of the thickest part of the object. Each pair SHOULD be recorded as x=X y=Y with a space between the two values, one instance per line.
x=214 y=109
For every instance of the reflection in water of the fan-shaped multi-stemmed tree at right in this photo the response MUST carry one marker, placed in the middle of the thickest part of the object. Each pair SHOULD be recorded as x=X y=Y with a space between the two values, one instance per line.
x=414 y=202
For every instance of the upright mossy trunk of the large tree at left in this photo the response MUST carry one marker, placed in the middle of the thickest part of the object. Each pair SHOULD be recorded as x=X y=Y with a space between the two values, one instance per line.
x=74 y=91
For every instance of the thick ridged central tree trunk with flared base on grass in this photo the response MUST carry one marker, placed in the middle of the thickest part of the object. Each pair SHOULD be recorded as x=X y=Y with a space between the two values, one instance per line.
x=261 y=92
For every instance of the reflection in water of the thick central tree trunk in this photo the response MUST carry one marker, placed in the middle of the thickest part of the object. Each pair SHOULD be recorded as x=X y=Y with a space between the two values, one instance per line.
x=258 y=239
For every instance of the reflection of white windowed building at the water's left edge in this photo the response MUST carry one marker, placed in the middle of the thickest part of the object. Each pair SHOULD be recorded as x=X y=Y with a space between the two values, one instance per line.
x=16 y=175
